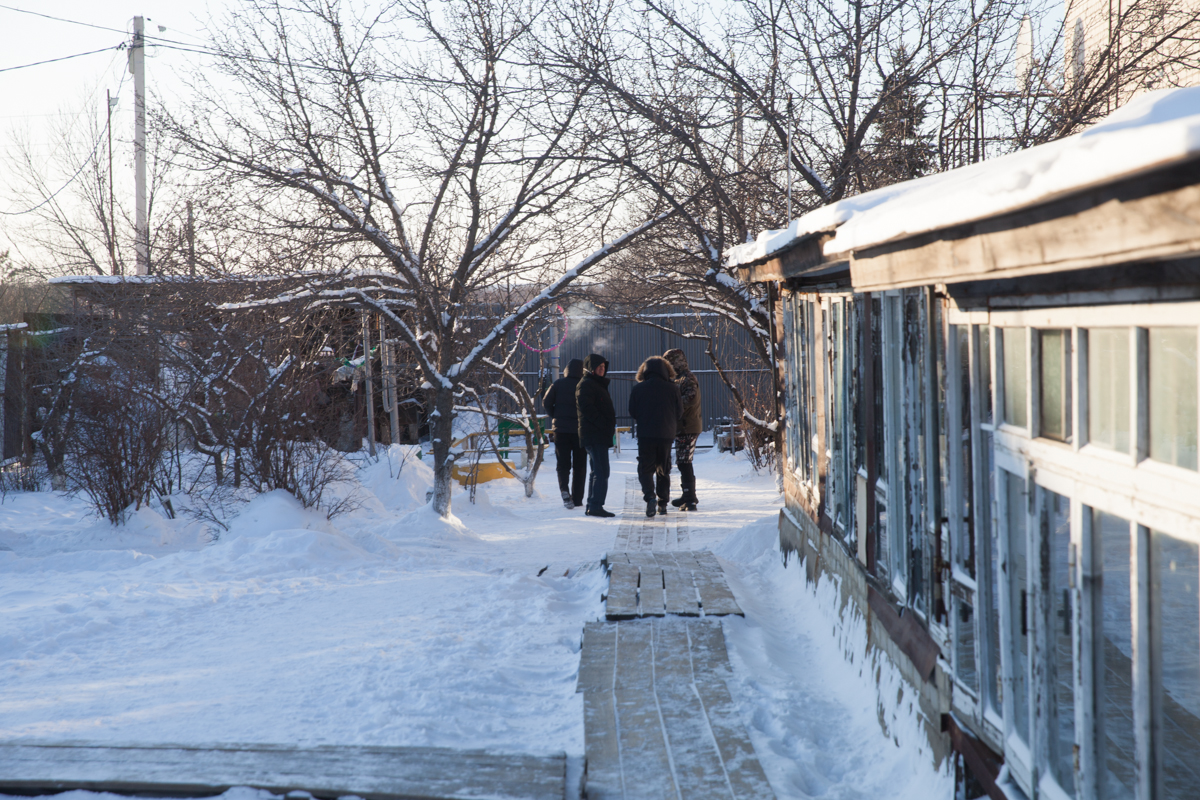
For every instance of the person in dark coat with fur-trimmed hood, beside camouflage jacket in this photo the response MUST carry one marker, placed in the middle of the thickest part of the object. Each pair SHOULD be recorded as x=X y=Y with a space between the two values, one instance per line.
x=656 y=406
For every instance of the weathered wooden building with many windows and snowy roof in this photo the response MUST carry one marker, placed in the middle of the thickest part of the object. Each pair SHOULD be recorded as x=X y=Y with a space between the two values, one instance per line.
x=993 y=407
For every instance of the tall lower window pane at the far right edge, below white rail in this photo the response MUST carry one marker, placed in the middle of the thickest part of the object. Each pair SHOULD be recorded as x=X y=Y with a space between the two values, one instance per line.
x=1178 y=579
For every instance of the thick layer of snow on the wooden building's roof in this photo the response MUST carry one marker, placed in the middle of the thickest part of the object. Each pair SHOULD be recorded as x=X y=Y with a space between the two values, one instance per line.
x=1155 y=131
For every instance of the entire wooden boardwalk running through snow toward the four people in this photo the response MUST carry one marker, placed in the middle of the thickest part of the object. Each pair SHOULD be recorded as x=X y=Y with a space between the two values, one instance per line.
x=658 y=718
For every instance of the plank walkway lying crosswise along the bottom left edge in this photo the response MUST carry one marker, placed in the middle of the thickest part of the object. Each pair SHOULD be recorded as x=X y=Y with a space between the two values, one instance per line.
x=370 y=773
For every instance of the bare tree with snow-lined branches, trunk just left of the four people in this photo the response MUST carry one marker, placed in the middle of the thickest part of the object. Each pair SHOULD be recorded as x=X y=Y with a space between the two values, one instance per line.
x=433 y=169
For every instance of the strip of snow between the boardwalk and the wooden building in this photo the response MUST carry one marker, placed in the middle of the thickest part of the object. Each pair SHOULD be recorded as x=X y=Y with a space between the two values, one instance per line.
x=811 y=695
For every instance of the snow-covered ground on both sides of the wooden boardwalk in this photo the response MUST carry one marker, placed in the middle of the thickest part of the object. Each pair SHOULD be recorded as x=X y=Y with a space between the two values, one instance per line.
x=388 y=627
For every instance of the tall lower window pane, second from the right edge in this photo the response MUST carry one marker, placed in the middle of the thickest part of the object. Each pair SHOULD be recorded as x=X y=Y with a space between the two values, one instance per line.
x=1117 y=666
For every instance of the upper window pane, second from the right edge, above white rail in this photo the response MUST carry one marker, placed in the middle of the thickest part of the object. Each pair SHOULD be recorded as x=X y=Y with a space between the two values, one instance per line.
x=1108 y=388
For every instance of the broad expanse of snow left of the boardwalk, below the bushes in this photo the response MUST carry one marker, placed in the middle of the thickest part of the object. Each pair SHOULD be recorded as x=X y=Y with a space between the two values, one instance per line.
x=386 y=627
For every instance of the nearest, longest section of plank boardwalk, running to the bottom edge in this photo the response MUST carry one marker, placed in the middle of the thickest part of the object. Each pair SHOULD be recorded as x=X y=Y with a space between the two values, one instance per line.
x=659 y=720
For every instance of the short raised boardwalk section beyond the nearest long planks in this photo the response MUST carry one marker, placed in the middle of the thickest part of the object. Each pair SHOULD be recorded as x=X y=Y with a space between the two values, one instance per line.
x=652 y=585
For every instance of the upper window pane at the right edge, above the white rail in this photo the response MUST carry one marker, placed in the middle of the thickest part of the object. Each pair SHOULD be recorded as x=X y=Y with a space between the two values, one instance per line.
x=1173 y=396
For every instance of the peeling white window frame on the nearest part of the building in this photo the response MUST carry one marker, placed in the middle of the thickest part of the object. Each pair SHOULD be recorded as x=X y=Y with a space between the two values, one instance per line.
x=1154 y=497
